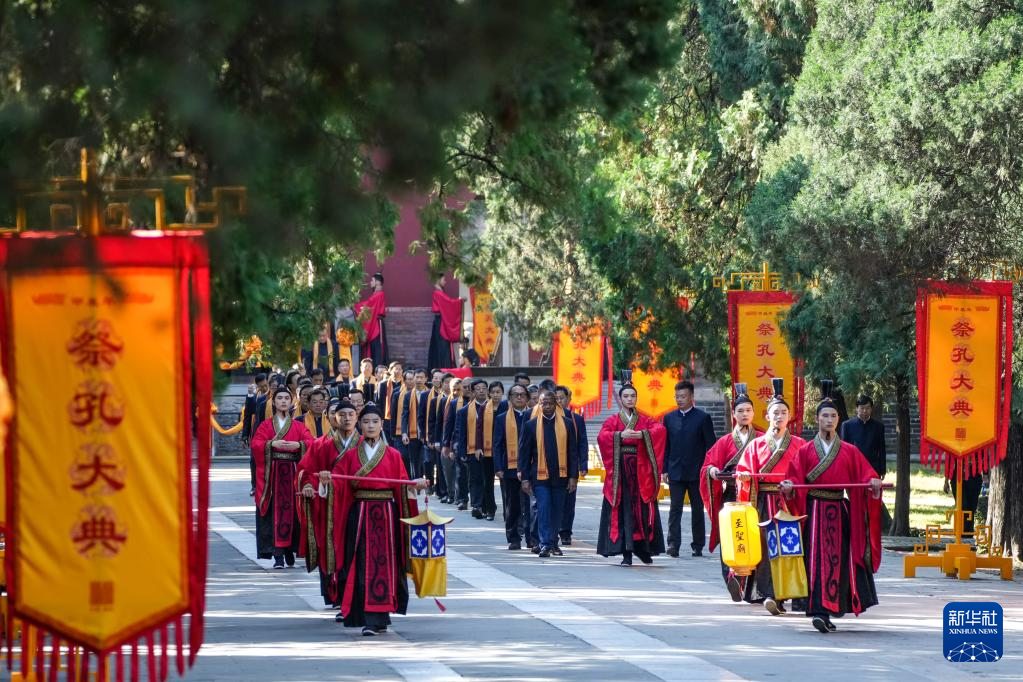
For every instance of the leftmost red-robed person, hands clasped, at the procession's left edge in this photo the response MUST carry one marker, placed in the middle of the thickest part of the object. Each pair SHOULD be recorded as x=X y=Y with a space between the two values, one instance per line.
x=278 y=446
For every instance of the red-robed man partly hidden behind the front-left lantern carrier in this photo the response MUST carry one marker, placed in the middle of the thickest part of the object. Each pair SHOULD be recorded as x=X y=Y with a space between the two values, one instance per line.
x=316 y=512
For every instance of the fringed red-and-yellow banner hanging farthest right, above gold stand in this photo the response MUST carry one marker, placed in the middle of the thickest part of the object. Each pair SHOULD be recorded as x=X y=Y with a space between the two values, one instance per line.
x=964 y=374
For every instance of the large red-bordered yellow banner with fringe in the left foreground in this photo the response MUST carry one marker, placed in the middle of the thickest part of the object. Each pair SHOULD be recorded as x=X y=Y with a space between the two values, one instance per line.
x=107 y=347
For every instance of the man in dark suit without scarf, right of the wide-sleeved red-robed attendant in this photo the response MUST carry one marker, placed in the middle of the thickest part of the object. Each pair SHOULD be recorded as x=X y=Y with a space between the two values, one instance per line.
x=691 y=435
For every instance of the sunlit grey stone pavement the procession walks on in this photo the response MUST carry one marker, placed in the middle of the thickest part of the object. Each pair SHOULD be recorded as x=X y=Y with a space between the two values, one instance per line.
x=512 y=616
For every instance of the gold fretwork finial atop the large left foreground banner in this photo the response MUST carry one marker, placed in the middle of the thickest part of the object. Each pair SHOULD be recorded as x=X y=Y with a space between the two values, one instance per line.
x=92 y=204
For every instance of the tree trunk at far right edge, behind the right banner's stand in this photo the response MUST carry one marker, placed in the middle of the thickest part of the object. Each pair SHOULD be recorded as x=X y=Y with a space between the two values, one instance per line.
x=1005 y=501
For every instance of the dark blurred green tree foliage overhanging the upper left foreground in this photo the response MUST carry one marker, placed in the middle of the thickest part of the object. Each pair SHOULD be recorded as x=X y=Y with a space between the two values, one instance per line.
x=323 y=110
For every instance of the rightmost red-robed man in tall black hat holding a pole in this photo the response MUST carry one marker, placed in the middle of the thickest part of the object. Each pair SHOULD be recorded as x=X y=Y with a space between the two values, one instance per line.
x=842 y=551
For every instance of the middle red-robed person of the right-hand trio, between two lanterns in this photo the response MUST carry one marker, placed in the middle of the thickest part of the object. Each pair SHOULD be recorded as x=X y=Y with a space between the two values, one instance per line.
x=765 y=465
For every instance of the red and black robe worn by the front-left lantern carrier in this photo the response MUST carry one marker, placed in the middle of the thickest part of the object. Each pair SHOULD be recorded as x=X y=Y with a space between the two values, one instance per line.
x=369 y=535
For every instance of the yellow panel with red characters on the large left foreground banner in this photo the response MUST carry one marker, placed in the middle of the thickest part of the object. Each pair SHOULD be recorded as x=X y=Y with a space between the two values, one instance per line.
x=101 y=491
